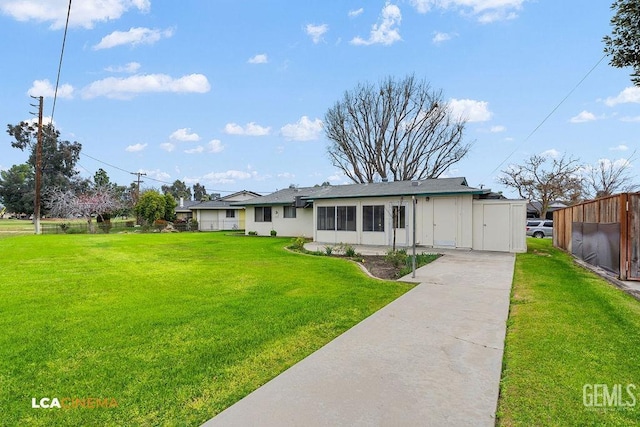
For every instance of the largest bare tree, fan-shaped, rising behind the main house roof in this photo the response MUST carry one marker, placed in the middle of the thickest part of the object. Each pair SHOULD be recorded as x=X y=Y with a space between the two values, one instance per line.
x=400 y=130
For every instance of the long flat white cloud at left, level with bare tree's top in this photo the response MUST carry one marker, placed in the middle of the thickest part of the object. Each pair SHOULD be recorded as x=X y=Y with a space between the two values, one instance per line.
x=127 y=88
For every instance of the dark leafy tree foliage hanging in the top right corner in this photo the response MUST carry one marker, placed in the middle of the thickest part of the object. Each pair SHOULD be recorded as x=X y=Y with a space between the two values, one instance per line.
x=623 y=45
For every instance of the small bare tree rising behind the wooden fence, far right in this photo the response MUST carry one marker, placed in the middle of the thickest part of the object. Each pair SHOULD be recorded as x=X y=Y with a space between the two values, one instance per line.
x=608 y=177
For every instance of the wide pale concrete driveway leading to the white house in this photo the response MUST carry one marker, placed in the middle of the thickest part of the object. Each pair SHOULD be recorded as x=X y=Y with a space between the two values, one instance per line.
x=432 y=357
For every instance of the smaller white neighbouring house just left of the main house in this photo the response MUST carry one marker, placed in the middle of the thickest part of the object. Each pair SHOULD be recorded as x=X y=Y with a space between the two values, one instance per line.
x=225 y=213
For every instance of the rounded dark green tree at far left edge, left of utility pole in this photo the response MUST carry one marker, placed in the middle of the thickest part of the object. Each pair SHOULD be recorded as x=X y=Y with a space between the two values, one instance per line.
x=17 y=188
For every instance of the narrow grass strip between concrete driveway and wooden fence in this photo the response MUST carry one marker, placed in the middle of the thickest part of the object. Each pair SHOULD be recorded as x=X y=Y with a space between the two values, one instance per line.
x=568 y=329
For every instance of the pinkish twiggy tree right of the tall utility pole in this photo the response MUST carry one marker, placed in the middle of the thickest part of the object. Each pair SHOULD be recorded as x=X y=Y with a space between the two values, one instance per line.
x=67 y=204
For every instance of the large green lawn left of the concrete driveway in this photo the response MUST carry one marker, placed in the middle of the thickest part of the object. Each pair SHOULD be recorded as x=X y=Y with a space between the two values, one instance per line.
x=174 y=327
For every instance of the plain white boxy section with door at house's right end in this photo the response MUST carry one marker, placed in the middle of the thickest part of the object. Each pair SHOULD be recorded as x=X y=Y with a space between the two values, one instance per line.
x=499 y=225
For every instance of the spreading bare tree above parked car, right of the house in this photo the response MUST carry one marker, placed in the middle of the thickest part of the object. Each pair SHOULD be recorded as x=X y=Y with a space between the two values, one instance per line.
x=545 y=179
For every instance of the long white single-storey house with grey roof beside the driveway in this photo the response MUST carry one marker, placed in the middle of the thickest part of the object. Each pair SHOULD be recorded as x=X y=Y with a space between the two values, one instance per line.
x=448 y=214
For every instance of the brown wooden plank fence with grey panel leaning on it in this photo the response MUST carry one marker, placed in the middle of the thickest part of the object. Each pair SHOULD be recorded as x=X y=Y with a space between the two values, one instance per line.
x=603 y=232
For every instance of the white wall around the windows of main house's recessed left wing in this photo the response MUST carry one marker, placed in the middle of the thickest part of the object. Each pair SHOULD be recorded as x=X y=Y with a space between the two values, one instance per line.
x=301 y=225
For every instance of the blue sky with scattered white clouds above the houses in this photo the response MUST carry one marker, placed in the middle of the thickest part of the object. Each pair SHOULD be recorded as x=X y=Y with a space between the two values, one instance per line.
x=232 y=94
